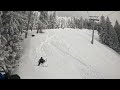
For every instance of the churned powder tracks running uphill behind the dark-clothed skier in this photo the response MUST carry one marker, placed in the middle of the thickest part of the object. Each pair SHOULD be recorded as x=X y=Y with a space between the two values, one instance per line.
x=40 y=50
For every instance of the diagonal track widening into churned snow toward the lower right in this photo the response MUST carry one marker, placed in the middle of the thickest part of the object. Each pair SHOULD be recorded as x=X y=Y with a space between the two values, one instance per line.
x=84 y=70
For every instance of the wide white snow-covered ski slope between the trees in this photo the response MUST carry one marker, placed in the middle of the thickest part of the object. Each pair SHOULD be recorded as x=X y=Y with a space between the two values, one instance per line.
x=69 y=54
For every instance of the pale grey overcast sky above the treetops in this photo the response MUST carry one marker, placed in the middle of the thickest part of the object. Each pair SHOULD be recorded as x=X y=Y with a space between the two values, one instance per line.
x=113 y=15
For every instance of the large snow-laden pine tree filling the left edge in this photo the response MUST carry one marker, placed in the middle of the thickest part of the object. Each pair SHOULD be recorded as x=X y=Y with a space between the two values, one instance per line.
x=10 y=37
